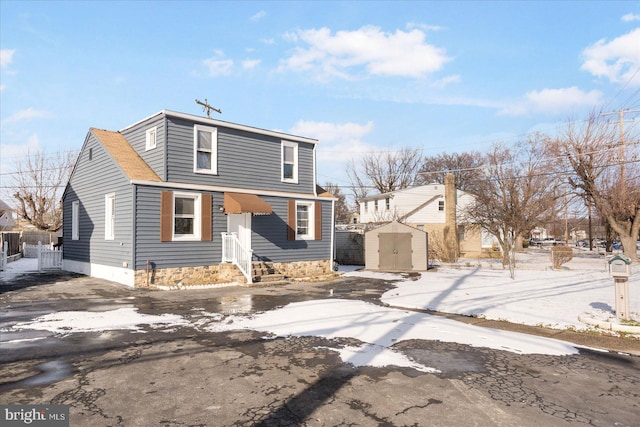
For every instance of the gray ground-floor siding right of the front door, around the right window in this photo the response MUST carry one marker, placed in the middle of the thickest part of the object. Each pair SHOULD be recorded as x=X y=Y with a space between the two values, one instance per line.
x=269 y=238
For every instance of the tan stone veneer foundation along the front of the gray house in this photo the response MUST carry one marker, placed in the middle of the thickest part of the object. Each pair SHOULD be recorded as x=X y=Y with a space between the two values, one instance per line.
x=223 y=273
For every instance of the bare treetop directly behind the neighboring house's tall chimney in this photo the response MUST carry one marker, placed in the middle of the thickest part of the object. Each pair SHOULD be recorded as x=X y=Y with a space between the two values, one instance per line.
x=465 y=167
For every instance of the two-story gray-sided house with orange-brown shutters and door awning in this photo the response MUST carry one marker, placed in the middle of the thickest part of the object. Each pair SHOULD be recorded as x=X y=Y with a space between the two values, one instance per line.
x=177 y=199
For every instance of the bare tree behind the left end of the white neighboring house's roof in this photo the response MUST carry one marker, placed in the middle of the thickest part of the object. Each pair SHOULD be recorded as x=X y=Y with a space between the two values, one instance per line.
x=384 y=172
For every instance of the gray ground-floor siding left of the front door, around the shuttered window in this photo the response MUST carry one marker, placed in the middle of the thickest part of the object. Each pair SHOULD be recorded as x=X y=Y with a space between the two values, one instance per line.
x=173 y=254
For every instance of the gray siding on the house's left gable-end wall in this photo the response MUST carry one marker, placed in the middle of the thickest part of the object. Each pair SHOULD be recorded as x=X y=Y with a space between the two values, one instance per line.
x=90 y=182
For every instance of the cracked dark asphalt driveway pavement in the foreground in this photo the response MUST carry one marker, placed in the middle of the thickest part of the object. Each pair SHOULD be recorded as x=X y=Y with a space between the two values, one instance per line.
x=193 y=377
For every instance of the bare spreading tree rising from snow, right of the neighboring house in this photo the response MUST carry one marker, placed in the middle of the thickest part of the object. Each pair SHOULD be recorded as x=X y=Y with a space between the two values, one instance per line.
x=519 y=189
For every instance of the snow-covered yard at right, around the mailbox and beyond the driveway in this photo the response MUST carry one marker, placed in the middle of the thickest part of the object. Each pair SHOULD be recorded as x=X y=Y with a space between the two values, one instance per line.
x=537 y=296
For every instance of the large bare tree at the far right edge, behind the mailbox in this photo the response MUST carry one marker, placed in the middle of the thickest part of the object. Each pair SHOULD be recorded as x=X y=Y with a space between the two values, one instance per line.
x=605 y=171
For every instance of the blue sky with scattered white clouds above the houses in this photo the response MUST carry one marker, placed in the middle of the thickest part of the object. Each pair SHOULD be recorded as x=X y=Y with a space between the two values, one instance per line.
x=359 y=76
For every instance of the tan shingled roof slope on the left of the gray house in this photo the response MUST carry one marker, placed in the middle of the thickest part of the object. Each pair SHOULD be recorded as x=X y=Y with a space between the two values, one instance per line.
x=125 y=156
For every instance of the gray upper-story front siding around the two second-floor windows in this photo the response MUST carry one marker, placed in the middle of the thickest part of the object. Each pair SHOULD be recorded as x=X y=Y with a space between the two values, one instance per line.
x=245 y=160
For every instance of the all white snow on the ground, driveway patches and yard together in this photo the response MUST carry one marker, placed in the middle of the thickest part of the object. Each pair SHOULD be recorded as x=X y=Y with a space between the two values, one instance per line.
x=537 y=296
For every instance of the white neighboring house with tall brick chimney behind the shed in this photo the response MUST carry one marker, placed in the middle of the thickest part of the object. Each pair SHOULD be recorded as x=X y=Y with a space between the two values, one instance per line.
x=429 y=208
